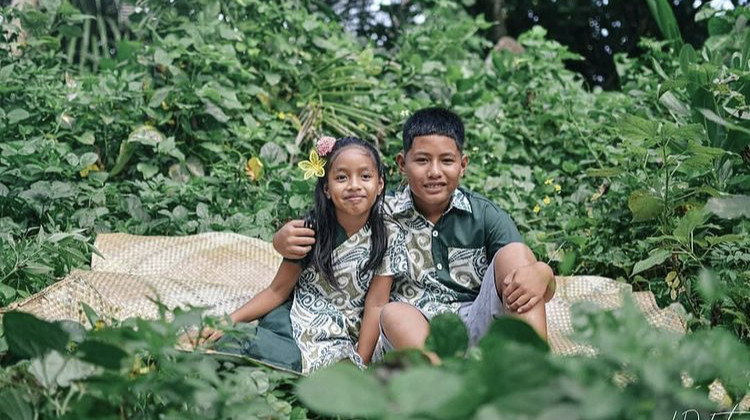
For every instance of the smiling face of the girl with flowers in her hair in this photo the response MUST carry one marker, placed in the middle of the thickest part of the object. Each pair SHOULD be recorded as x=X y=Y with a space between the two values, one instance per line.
x=353 y=184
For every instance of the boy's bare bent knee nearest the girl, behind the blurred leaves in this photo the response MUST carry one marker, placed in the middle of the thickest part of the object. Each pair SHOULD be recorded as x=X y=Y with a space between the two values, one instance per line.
x=403 y=326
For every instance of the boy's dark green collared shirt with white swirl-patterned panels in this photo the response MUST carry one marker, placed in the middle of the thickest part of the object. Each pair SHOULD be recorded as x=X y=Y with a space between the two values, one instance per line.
x=447 y=260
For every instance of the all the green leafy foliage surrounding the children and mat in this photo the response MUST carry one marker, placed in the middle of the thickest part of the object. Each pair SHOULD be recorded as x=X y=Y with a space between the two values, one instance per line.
x=173 y=118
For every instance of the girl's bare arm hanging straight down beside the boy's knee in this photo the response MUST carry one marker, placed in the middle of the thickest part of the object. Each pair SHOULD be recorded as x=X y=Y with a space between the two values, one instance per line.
x=378 y=295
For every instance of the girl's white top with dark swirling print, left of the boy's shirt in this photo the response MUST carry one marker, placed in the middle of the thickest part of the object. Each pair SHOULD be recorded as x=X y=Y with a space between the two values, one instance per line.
x=326 y=320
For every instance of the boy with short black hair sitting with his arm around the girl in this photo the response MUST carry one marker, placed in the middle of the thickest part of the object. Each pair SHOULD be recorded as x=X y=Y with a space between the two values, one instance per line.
x=464 y=254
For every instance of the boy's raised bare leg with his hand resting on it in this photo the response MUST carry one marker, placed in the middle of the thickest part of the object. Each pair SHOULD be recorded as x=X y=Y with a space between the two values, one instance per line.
x=508 y=259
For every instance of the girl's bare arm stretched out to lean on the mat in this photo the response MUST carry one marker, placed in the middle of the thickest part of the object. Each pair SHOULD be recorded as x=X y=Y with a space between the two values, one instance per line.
x=272 y=296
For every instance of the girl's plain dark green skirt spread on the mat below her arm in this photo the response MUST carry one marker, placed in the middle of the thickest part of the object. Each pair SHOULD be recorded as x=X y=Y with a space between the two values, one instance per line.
x=272 y=342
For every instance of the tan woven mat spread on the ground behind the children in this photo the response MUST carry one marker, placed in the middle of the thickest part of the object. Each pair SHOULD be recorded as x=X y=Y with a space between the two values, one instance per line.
x=222 y=271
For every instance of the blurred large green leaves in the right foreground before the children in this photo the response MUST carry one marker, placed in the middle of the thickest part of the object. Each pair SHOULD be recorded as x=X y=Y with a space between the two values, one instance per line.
x=639 y=372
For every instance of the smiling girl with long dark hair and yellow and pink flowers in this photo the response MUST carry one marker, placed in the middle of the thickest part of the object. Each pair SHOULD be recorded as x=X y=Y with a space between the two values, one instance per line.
x=349 y=257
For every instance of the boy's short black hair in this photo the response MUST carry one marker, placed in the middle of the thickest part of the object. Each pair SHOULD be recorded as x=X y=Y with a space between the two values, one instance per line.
x=435 y=120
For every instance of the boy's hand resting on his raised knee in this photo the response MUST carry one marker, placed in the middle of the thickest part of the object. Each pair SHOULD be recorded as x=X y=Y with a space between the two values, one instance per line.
x=527 y=286
